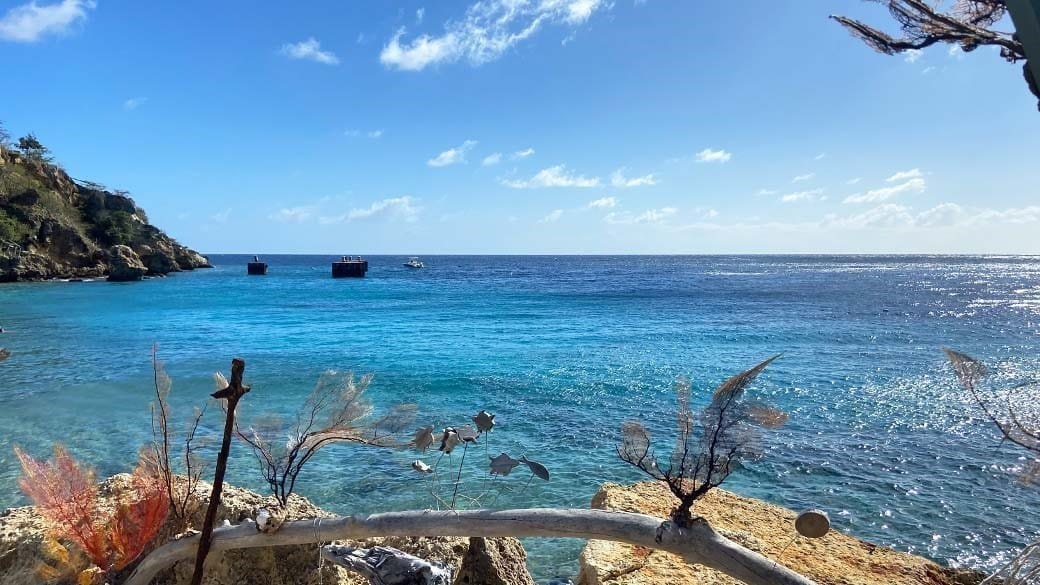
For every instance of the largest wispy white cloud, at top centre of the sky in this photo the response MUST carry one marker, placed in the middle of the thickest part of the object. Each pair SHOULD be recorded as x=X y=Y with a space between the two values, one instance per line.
x=487 y=31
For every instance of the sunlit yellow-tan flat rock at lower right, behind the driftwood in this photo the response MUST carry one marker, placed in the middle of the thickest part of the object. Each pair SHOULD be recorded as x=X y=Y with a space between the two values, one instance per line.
x=836 y=559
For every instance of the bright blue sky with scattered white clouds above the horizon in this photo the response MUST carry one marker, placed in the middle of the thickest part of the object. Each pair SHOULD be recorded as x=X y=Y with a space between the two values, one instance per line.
x=528 y=126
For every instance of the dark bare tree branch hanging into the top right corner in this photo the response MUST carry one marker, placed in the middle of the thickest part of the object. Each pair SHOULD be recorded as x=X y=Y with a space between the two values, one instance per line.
x=969 y=24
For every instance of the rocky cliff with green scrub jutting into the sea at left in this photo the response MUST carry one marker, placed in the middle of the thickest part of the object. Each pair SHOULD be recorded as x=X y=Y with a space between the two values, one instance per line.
x=53 y=226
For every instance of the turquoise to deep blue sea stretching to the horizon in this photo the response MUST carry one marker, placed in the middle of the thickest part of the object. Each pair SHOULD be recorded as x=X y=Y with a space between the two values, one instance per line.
x=564 y=350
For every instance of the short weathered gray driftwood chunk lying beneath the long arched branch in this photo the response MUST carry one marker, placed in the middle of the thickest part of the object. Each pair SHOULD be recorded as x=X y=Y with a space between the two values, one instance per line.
x=384 y=566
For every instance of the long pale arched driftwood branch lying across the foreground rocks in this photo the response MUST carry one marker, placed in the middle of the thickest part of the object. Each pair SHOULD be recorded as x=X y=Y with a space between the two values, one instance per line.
x=696 y=544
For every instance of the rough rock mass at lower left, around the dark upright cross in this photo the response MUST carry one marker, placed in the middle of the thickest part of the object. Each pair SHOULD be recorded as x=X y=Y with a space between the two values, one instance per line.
x=496 y=562
